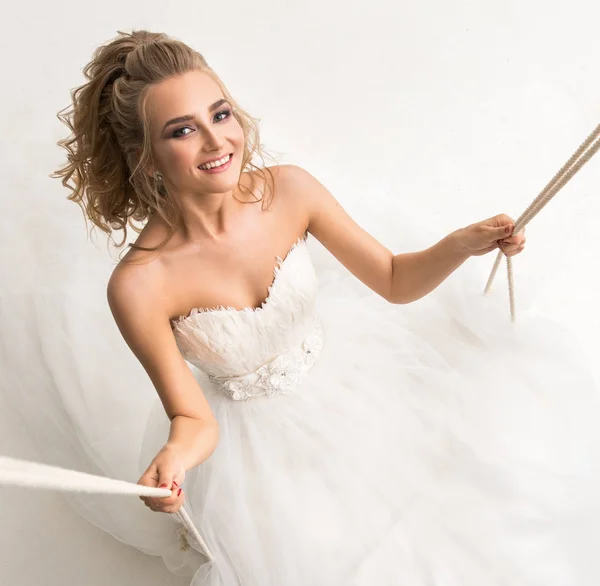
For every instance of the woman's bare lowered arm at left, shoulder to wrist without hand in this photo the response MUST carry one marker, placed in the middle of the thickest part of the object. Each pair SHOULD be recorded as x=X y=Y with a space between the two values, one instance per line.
x=135 y=302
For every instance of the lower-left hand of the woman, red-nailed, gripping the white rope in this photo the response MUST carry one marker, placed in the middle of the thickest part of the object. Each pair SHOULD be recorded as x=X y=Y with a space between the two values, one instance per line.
x=165 y=471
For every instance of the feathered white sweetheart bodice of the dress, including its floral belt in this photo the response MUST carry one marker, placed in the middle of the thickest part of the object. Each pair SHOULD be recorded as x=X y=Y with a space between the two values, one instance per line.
x=256 y=351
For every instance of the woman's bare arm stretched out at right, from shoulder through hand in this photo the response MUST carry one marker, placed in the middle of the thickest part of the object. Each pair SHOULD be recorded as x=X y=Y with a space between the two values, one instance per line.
x=400 y=278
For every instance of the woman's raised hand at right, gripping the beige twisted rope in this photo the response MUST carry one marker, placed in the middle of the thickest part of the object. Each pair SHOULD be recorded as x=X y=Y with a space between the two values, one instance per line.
x=495 y=232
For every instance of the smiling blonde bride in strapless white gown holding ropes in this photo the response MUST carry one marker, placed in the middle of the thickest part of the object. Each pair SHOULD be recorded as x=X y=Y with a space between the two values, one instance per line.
x=316 y=439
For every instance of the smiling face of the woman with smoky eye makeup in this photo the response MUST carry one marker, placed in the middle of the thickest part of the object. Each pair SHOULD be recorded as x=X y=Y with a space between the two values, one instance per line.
x=191 y=124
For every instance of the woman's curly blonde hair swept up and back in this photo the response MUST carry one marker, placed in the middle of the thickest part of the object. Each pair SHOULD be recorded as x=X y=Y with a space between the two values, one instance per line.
x=110 y=144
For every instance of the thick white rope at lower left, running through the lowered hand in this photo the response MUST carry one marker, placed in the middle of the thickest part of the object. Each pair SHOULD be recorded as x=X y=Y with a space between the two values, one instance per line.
x=35 y=475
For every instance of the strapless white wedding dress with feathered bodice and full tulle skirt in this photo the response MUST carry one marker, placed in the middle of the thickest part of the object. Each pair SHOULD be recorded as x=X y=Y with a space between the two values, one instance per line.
x=361 y=443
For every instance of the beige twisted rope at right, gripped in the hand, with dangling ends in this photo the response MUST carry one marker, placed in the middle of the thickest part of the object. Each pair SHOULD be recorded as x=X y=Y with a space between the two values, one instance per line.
x=554 y=186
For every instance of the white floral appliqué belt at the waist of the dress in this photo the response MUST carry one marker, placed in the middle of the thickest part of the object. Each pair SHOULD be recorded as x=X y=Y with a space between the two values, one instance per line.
x=280 y=376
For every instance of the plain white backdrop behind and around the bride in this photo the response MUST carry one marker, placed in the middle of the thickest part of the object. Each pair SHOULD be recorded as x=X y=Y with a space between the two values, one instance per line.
x=457 y=110
